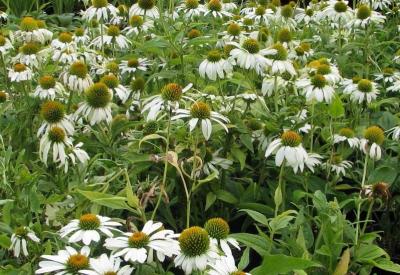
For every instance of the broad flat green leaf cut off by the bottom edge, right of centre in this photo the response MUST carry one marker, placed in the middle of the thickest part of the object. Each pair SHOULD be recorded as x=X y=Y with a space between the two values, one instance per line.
x=282 y=264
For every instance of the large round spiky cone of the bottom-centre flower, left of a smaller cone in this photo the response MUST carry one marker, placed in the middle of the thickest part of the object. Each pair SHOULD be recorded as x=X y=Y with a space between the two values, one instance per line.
x=194 y=241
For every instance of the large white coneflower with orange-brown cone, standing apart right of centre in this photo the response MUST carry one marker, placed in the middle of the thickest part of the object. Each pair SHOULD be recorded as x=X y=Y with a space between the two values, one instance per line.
x=288 y=148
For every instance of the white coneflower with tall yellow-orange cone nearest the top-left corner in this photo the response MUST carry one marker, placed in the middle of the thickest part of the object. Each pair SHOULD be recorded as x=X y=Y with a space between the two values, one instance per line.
x=29 y=31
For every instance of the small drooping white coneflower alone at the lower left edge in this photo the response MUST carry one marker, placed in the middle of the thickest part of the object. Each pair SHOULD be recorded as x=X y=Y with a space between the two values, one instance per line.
x=20 y=239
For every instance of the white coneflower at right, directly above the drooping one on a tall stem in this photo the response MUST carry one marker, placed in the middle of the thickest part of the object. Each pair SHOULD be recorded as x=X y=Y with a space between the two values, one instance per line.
x=363 y=90
